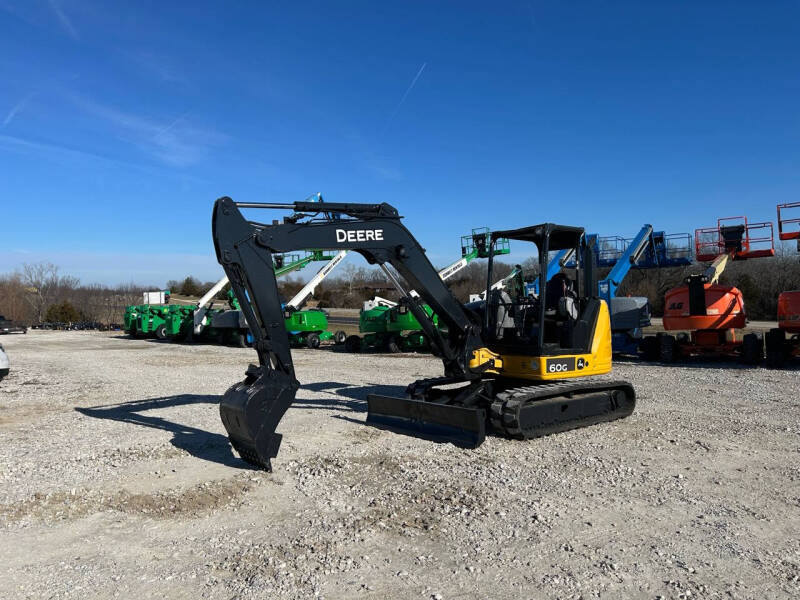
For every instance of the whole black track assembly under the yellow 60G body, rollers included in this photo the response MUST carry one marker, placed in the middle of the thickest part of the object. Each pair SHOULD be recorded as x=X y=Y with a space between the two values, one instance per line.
x=539 y=410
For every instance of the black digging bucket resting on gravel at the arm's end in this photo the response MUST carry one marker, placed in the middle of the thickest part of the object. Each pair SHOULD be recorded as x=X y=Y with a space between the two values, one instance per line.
x=251 y=410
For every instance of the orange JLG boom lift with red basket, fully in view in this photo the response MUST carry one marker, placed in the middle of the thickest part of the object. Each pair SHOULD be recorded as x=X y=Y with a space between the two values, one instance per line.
x=711 y=313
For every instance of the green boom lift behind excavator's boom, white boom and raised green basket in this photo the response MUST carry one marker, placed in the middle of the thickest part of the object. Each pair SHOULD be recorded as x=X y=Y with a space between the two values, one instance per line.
x=391 y=326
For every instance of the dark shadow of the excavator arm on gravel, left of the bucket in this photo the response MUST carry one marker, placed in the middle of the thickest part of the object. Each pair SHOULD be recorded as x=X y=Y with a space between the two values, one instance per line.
x=202 y=444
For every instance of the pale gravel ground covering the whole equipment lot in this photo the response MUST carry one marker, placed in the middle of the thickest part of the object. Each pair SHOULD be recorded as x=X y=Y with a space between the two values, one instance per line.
x=118 y=481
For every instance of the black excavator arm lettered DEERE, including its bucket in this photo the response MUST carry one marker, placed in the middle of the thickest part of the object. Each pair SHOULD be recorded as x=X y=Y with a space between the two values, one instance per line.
x=251 y=409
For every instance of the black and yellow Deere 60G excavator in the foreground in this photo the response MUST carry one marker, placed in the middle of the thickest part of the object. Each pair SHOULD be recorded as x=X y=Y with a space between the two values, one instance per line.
x=513 y=364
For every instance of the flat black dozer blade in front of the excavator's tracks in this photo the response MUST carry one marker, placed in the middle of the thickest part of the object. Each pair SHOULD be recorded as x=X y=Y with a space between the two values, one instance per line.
x=463 y=427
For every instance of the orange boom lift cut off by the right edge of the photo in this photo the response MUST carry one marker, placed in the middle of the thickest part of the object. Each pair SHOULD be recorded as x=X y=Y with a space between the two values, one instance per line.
x=783 y=342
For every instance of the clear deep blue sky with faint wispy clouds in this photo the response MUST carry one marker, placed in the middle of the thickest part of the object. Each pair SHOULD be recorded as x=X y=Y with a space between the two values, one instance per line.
x=120 y=123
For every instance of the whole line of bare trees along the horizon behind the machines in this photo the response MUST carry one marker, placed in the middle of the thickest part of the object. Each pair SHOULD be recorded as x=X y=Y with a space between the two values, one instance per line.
x=39 y=293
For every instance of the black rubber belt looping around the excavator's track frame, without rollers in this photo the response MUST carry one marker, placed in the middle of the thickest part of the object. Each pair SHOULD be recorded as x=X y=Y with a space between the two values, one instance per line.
x=505 y=409
